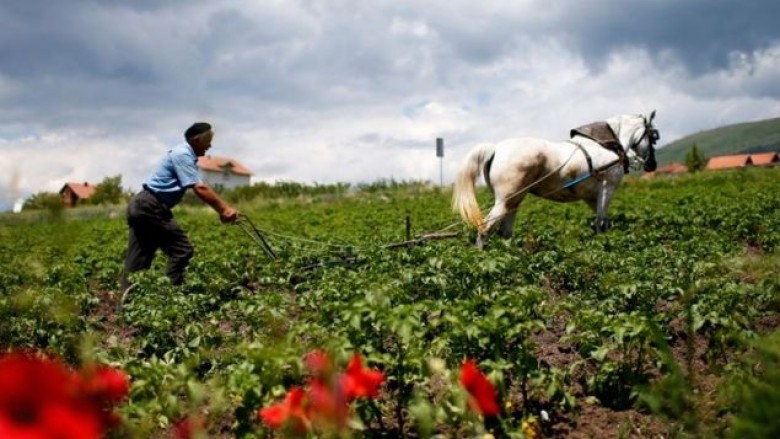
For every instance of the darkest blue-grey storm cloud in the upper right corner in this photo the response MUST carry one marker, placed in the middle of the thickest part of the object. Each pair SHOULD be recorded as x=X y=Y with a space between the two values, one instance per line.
x=701 y=34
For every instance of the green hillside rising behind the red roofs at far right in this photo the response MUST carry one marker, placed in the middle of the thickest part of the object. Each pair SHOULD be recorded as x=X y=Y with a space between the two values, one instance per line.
x=749 y=137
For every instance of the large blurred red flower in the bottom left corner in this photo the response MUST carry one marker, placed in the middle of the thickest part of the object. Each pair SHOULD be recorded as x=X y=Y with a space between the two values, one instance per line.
x=39 y=399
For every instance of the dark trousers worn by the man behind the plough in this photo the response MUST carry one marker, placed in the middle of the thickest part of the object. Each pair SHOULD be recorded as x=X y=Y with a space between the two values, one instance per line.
x=152 y=227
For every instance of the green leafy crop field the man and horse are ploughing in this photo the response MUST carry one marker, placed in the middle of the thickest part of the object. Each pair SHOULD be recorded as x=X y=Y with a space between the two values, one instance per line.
x=665 y=326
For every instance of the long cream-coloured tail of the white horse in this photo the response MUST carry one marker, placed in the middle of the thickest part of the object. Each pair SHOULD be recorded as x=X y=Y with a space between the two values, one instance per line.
x=464 y=196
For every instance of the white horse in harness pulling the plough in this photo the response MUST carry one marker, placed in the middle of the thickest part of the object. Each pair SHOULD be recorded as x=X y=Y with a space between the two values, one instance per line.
x=587 y=167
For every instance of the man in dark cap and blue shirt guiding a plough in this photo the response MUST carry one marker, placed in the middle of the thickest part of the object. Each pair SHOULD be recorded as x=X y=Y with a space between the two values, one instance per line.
x=149 y=214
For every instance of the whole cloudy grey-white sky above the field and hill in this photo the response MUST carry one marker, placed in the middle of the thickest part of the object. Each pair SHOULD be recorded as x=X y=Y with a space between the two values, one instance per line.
x=354 y=91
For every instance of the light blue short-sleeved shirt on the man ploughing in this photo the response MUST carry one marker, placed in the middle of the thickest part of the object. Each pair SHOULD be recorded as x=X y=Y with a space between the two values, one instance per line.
x=177 y=172
